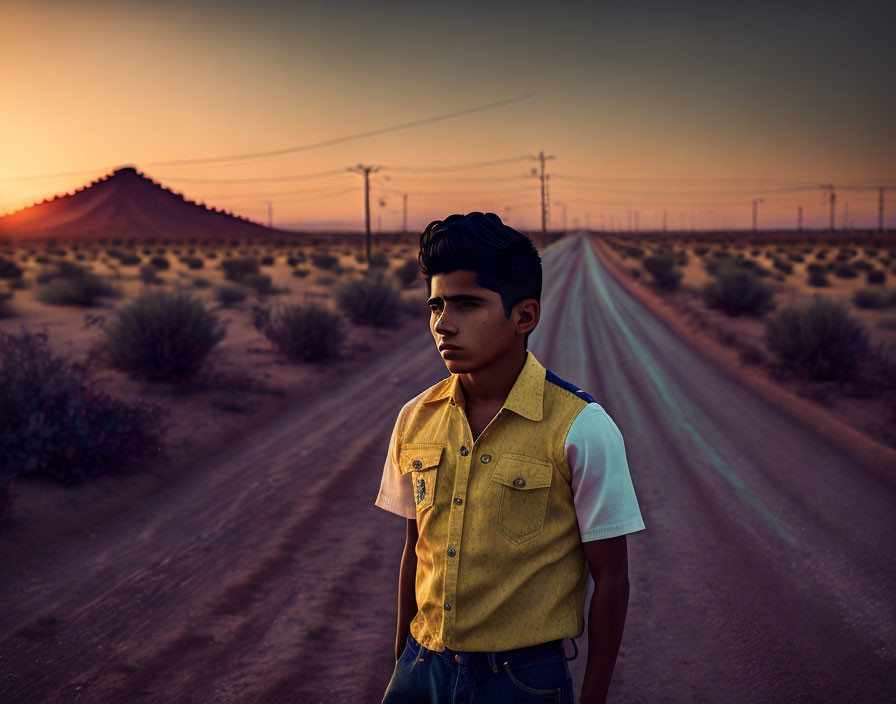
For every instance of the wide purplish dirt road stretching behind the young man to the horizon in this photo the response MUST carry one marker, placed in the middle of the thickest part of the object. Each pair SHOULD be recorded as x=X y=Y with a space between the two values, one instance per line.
x=766 y=572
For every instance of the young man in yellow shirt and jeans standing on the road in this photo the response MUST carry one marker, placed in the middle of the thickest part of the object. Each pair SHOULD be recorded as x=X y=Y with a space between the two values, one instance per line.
x=515 y=485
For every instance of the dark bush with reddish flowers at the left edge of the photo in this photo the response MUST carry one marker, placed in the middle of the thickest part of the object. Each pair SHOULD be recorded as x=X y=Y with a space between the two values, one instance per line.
x=53 y=423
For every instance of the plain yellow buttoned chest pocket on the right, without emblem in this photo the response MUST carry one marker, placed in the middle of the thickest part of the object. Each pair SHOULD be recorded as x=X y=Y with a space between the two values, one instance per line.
x=524 y=483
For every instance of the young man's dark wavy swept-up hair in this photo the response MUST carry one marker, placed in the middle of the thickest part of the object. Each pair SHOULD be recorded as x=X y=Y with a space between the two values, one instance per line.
x=505 y=260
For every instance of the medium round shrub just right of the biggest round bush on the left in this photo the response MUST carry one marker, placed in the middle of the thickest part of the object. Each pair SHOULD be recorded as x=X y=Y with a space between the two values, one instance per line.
x=307 y=332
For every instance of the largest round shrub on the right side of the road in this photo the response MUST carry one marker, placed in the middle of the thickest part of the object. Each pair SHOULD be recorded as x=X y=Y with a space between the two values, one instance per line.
x=821 y=341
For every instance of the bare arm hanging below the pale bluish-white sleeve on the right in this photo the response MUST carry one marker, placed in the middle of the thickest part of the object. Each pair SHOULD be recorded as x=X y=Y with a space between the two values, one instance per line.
x=608 y=562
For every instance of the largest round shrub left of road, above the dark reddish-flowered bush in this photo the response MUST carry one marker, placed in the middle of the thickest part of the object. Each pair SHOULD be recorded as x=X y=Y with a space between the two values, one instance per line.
x=161 y=336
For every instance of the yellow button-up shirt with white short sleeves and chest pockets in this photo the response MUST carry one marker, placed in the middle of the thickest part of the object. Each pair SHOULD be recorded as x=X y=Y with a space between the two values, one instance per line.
x=500 y=562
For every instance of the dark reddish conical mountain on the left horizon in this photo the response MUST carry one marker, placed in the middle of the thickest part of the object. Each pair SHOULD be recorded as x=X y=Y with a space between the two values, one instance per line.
x=126 y=203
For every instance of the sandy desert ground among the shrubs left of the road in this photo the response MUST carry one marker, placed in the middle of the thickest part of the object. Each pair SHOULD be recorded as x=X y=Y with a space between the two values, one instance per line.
x=245 y=382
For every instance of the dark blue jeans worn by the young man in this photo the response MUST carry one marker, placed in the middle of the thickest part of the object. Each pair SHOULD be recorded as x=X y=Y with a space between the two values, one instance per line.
x=425 y=676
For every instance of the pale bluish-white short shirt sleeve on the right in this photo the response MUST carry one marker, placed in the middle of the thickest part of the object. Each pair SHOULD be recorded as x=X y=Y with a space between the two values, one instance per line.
x=603 y=494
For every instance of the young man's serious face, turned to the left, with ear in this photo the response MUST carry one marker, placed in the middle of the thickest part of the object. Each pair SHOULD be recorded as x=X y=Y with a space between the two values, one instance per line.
x=470 y=317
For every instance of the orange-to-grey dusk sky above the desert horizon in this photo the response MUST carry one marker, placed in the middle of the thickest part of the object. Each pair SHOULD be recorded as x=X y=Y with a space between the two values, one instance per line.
x=692 y=108
